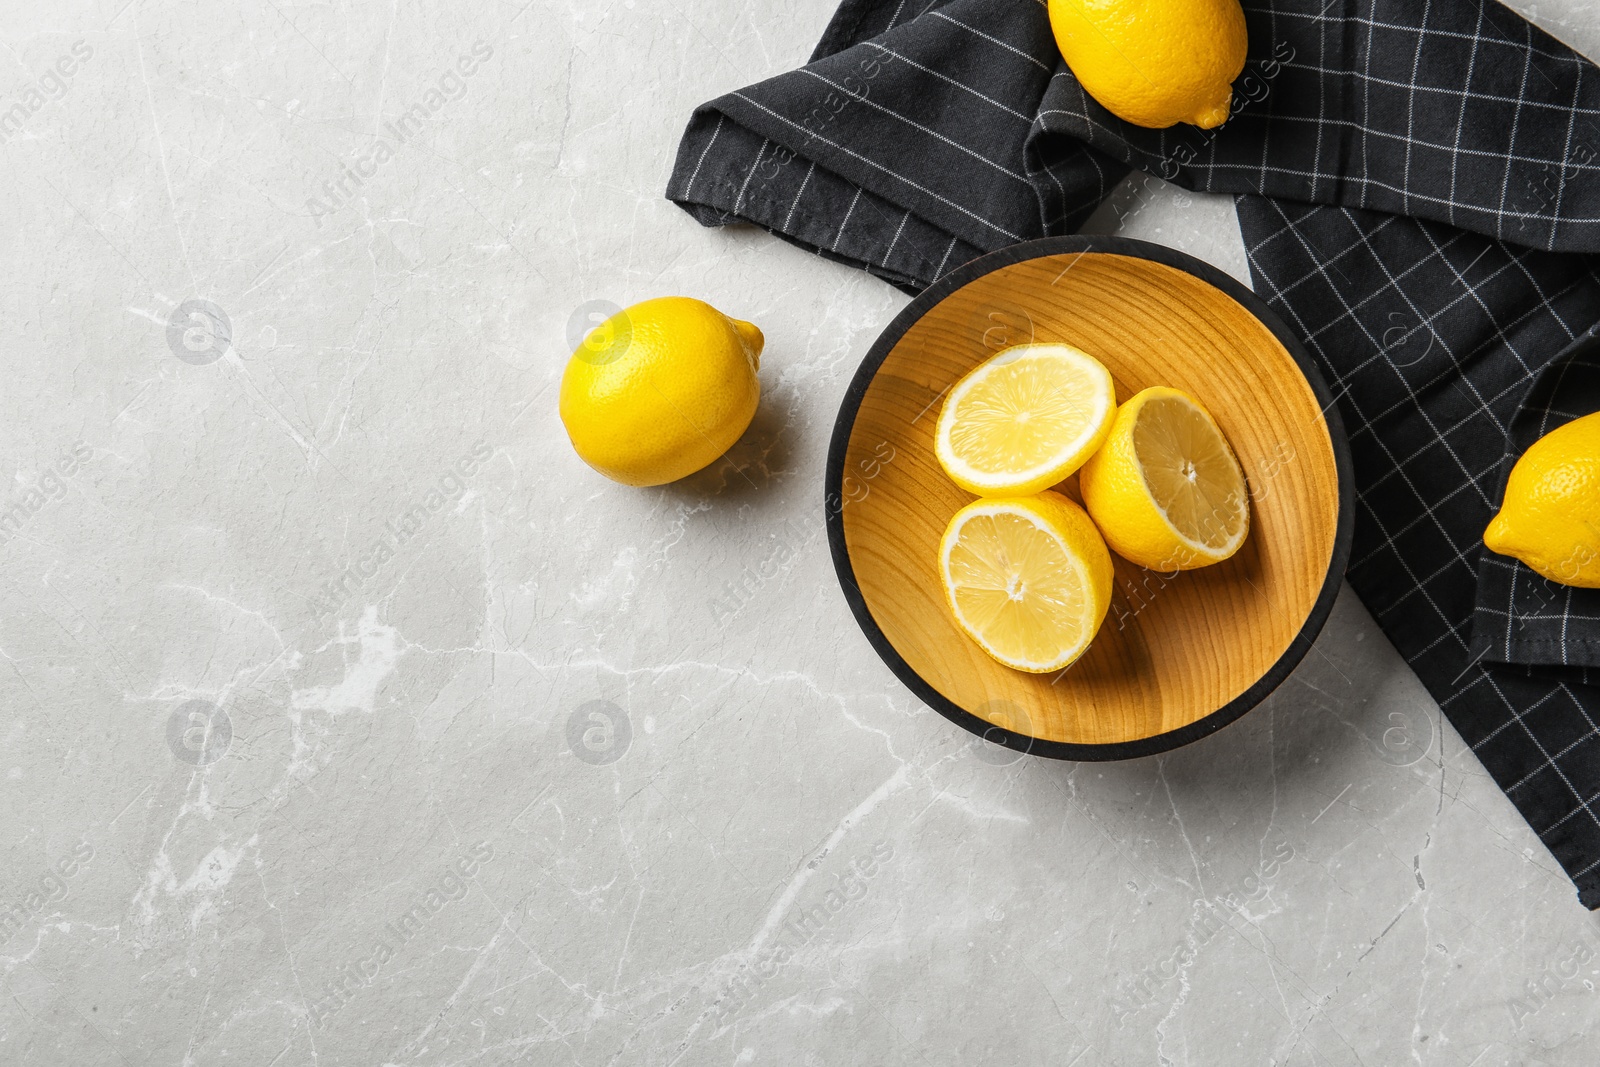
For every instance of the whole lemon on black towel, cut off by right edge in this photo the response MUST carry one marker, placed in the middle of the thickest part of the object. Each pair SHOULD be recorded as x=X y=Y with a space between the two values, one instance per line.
x=1551 y=516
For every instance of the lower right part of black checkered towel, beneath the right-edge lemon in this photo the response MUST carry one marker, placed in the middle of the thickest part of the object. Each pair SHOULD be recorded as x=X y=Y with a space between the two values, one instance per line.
x=1535 y=730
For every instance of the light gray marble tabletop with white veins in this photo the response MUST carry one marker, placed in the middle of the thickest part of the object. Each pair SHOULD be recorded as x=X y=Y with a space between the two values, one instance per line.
x=514 y=794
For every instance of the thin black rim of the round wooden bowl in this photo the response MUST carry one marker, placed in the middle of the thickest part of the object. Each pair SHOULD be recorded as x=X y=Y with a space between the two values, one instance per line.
x=834 y=505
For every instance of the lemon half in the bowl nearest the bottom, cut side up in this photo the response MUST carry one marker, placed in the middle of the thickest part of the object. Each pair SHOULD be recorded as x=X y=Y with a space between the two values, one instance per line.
x=1028 y=578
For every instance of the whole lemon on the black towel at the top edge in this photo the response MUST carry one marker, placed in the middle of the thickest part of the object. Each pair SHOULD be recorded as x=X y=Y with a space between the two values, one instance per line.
x=1154 y=63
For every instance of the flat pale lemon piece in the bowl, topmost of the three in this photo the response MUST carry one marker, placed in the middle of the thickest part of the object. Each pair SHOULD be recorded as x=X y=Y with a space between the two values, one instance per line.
x=1025 y=420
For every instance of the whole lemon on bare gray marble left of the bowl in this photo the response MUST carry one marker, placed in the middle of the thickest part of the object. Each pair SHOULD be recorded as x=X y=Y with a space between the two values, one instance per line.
x=662 y=390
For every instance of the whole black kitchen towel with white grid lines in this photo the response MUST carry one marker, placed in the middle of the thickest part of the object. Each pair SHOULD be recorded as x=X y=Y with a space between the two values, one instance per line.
x=1418 y=188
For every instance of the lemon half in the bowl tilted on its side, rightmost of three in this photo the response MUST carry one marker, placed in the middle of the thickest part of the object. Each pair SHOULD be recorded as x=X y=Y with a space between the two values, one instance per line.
x=1167 y=490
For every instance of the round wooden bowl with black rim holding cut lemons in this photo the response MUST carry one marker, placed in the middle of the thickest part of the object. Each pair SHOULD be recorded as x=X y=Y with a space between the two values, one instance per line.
x=1178 y=657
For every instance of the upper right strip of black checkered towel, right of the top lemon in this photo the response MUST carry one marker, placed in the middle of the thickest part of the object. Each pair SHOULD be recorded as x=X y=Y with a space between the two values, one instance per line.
x=1455 y=113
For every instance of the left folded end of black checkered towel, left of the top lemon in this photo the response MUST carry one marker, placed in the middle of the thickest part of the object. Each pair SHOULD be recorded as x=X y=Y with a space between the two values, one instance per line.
x=874 y=119
